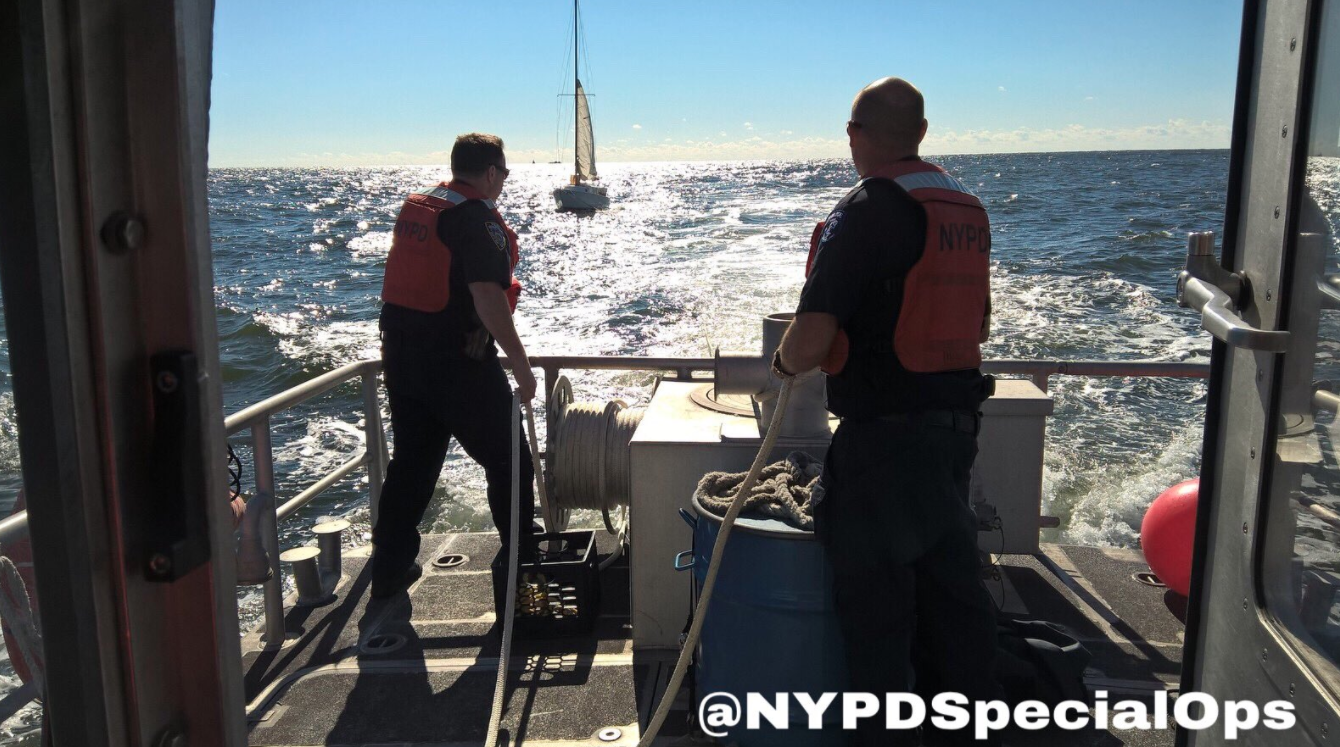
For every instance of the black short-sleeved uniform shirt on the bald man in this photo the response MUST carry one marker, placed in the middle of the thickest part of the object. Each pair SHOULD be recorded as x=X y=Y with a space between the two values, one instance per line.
x=872 y=241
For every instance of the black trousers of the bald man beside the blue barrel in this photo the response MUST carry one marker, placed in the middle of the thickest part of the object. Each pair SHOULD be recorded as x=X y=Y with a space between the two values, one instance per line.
x=902 y=540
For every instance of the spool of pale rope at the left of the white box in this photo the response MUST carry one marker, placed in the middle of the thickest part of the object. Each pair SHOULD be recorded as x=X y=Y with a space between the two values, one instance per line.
x=589 y=453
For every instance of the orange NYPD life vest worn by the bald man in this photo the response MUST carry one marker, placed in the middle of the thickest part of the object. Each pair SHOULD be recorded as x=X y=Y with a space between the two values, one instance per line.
x=945 y=294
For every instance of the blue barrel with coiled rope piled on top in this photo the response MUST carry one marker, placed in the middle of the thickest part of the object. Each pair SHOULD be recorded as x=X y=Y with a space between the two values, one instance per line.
x=771 y=628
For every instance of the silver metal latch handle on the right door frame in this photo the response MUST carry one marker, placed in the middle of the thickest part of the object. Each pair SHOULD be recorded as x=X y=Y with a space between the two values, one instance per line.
x=1219 y=294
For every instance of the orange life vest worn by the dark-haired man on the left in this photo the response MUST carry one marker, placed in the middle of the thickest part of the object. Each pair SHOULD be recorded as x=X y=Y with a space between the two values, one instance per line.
x=419 y=269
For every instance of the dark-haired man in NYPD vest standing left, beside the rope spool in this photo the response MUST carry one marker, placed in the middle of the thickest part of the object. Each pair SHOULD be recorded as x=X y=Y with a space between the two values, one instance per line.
x=450 y=293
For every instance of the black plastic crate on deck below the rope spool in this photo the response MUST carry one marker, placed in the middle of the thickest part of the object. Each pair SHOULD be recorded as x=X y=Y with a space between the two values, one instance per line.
x=559 y=595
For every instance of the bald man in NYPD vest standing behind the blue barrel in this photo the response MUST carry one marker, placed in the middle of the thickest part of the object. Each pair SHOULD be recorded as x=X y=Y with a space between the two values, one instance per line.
x=894 y=309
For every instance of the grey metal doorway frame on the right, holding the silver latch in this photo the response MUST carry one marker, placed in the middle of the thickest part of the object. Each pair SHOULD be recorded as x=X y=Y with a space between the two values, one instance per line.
x=1236 y=648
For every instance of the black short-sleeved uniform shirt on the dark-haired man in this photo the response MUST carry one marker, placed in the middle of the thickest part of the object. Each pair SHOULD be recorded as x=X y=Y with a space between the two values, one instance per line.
x=480 y=254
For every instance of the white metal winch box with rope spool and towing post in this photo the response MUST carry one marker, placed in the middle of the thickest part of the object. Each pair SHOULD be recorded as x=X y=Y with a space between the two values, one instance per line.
x=605 y=457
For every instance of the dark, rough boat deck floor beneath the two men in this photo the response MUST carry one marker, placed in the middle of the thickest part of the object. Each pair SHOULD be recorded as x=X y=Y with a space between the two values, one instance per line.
x=420 y=669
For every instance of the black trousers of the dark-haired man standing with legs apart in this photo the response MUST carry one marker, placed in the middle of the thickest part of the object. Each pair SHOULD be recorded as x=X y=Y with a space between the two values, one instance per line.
x=436 y=395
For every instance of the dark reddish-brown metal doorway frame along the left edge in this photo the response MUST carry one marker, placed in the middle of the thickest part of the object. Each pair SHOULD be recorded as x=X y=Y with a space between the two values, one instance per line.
x=105 y=264
